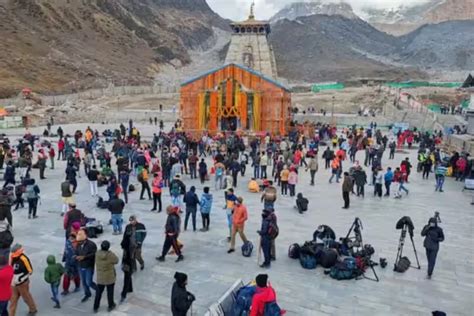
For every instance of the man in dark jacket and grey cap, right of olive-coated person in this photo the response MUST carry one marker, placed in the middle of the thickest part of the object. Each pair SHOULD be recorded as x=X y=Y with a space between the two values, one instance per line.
x=134 y=235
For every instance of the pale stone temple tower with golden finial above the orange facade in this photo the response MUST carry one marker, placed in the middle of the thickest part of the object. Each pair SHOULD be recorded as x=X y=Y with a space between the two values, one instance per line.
x=249 y=46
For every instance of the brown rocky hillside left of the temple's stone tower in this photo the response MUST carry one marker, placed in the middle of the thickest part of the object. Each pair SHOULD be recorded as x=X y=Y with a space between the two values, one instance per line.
x=63 y=45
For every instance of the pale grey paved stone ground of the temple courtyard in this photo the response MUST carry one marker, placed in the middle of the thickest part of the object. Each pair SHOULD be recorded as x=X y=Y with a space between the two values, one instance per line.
x=302 y=292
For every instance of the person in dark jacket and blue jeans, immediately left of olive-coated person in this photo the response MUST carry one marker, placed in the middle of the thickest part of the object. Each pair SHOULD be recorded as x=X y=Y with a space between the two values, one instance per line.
x=85 y=256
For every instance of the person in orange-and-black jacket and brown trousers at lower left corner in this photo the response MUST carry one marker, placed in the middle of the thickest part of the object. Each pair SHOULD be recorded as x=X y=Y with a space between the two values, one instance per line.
x=22 y=270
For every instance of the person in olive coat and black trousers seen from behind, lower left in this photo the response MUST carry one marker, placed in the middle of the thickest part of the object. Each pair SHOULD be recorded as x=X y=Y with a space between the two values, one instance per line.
x=105 y=266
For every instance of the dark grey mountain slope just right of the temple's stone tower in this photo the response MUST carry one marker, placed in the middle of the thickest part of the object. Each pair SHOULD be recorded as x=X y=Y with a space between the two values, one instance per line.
x=335 y=48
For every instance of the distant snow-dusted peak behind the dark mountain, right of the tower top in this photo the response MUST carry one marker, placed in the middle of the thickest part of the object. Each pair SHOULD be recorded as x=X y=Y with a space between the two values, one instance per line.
x=300 y=9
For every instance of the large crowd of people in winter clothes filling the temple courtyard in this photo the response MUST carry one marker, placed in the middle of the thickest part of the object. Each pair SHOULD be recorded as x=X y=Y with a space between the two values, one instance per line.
x=110 y=159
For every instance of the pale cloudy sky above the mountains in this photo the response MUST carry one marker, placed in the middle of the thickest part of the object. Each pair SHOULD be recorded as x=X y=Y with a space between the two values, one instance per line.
x=264 y=9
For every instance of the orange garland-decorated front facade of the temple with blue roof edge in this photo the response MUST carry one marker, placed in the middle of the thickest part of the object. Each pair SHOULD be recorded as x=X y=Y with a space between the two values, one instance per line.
x=234 y=98
